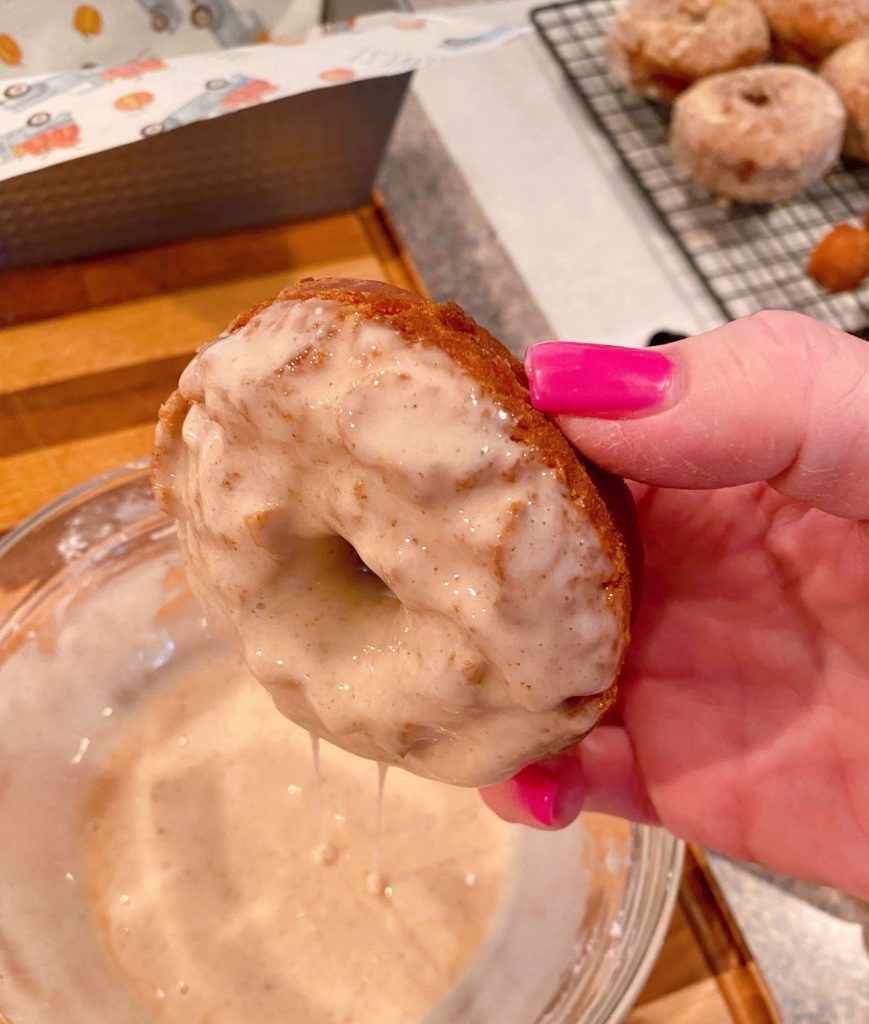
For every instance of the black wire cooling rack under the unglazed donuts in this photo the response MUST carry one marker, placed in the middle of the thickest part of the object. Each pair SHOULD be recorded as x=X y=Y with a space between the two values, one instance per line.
x=750 y=258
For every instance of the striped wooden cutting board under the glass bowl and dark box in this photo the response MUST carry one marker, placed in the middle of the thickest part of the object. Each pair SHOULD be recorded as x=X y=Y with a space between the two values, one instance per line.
x=90 y=350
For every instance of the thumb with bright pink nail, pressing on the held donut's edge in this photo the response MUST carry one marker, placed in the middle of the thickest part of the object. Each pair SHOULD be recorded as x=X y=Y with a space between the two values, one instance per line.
x=776 y=398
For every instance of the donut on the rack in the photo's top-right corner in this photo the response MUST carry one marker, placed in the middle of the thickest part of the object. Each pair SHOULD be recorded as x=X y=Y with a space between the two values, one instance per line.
x=806 y=31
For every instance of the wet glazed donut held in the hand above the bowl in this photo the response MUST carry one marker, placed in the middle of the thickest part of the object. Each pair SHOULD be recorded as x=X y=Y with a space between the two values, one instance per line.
x=415 y=562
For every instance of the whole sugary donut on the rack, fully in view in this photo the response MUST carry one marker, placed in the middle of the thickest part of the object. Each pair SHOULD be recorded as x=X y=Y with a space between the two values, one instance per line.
x=758 y=136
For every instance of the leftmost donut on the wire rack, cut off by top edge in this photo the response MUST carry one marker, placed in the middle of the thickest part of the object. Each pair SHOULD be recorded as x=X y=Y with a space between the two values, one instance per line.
x=661 y=48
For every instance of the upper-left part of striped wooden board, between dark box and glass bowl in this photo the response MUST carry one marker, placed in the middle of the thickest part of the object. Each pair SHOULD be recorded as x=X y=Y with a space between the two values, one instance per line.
x=89 y=351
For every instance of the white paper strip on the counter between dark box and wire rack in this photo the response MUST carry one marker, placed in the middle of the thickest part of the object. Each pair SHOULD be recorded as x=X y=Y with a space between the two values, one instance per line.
x=590 y=250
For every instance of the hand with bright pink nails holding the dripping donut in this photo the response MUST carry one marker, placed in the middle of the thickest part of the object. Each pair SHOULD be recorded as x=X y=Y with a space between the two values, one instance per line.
x=743 y=721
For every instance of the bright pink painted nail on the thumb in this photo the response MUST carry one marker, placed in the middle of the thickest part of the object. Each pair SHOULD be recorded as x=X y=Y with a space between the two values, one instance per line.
x=603 y=381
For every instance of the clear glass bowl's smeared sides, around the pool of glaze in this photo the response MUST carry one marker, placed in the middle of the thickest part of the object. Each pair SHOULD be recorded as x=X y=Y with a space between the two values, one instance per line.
x=64 y=575
